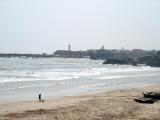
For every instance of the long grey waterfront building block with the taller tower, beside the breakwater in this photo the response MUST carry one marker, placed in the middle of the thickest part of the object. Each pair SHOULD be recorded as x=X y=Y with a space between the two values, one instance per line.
x=71 y=54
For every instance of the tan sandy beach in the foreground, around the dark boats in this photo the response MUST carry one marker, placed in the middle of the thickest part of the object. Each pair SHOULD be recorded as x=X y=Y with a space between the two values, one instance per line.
x=115 y=105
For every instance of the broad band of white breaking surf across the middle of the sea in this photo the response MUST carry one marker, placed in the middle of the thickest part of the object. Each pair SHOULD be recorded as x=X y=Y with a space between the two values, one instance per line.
x=53 y=75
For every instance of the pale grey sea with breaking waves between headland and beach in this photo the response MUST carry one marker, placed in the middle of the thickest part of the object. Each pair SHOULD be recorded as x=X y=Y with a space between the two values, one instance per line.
x=24 y=78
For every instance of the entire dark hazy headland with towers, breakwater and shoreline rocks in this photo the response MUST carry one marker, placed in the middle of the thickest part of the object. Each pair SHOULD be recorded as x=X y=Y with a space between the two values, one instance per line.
x=114 y=56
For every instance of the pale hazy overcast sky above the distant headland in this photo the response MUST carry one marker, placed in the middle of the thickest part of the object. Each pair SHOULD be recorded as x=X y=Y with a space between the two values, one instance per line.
x=36 y=26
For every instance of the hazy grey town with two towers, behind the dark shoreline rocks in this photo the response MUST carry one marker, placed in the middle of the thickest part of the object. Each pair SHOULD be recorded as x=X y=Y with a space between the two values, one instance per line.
x=102 y=53
